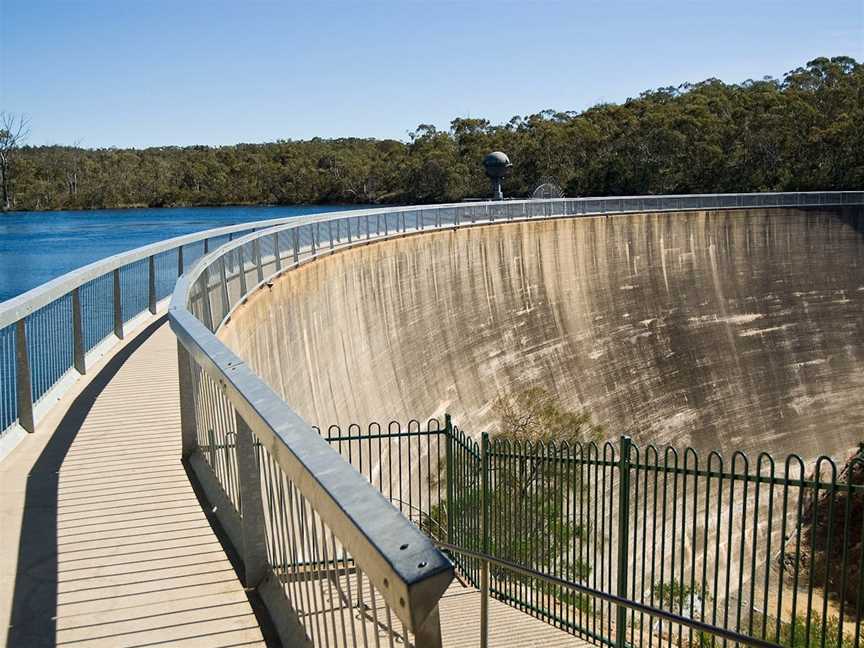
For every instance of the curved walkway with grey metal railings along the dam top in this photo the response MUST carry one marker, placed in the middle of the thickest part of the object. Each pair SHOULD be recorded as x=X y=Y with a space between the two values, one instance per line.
x=156 y=491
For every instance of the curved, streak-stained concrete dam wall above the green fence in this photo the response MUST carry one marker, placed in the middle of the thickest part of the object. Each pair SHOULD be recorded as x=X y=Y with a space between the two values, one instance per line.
x=728 y=329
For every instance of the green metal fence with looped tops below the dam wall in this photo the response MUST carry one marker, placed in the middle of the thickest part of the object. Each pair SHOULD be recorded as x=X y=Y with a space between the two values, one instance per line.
x=629 y=545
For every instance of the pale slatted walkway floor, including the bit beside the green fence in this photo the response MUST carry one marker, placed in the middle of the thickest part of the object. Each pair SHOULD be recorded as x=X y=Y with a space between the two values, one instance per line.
x=103 y=541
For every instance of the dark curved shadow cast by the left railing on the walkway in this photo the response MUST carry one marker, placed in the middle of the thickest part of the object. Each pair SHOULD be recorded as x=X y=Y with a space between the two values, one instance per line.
x=33 y=622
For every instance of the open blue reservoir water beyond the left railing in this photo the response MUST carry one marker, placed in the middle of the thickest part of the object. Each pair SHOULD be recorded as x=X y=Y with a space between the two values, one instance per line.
x=38 y=246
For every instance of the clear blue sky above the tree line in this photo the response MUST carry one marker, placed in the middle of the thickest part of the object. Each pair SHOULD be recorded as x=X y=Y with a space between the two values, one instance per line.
x=151 y=72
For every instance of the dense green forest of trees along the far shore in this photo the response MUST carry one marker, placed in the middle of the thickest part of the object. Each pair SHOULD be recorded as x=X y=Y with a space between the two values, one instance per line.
x=803 y=132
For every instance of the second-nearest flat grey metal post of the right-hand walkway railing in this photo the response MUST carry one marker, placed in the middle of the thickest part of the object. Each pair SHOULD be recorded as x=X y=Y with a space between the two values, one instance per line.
x=252 y=508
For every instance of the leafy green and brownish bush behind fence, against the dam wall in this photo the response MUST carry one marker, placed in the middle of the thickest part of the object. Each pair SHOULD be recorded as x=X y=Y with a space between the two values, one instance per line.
x=531 y=499
